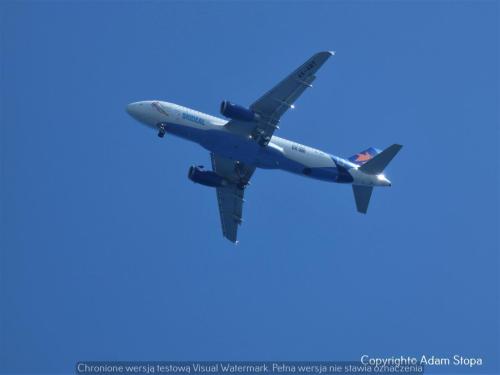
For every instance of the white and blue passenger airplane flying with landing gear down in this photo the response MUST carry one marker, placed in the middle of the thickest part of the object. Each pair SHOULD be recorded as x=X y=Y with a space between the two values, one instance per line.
x=246 y=141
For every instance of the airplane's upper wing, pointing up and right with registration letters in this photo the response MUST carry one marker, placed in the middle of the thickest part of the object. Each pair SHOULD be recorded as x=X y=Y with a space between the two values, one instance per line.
x=274 y=103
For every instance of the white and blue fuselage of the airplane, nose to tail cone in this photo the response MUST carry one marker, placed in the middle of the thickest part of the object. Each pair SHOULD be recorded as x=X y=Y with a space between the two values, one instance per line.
x=279 y=153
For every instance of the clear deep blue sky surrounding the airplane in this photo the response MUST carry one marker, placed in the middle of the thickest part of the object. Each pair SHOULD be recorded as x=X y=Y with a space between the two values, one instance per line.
x=108 y=251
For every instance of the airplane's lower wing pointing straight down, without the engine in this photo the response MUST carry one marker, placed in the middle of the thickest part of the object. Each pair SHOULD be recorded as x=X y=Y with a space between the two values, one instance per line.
x=230 y=197
